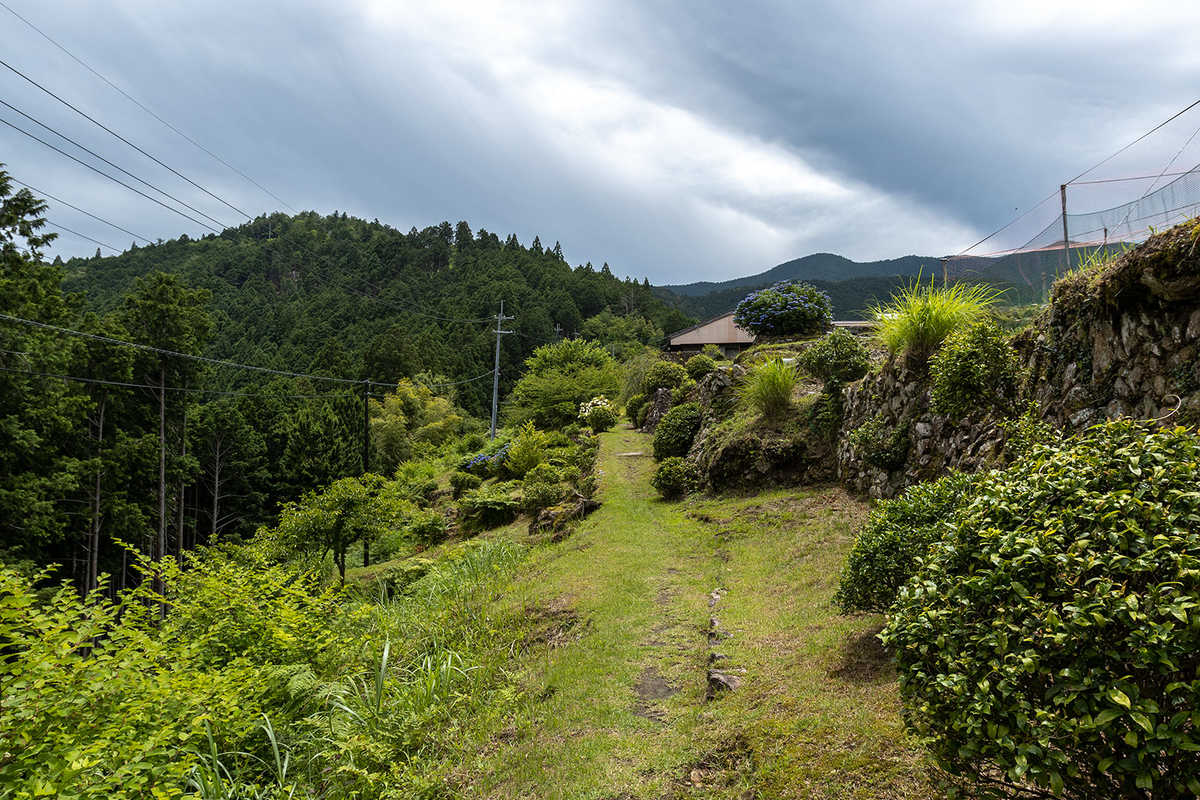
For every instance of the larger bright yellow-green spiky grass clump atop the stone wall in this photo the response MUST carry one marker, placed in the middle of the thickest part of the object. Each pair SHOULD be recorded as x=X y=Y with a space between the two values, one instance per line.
x=920 y=318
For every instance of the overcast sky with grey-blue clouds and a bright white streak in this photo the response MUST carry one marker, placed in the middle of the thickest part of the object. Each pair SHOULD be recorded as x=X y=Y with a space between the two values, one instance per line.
x=676 y=141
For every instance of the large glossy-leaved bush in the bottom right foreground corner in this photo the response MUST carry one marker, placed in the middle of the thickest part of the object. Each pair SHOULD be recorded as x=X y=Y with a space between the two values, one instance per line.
x=1052 y=640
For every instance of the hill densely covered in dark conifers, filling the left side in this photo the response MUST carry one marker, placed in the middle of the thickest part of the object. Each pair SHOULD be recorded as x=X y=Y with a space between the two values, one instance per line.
x=133 y=429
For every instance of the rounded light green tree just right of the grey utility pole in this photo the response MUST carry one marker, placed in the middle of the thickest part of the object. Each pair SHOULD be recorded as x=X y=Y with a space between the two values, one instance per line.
x=561 y=378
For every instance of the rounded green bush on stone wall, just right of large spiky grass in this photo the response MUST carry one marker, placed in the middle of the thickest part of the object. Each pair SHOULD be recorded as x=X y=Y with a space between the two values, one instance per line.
x=976 y=368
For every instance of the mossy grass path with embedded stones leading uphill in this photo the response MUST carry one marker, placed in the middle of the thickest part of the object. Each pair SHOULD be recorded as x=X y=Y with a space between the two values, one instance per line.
x=645 y=601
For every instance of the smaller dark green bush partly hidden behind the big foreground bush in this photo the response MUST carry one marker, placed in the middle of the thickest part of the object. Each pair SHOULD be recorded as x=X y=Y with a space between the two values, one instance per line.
x=896 y=537
